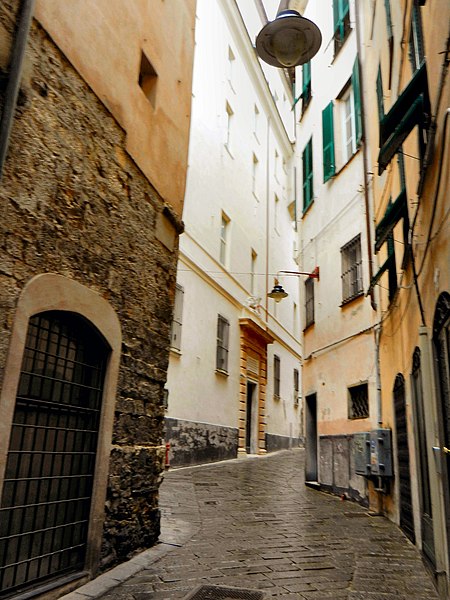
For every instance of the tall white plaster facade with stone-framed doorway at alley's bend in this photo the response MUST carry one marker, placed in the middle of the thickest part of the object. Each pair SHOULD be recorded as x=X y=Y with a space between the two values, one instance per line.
x=220 y=179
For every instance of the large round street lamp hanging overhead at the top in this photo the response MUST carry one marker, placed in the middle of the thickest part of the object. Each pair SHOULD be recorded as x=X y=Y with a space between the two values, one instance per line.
x=290 y=40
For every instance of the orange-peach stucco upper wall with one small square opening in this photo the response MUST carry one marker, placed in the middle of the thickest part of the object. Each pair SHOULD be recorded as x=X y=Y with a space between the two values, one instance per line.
x=104 y=40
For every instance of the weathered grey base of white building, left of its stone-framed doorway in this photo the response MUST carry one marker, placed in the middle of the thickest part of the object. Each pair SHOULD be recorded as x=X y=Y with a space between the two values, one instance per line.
x=196 y=443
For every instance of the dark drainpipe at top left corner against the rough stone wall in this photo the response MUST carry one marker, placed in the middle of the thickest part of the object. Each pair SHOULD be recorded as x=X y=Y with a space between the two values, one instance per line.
x=15 y=71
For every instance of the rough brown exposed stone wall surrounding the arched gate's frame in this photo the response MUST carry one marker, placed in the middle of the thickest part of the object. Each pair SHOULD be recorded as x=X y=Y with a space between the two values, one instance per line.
x=73 y=203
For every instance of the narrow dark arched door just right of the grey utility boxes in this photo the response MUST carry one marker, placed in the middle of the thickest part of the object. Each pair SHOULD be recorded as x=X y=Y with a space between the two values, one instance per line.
x=404 y=474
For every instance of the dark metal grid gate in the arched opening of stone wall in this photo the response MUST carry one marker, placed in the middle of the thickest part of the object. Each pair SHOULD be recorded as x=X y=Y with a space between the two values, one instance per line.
x=45 y=504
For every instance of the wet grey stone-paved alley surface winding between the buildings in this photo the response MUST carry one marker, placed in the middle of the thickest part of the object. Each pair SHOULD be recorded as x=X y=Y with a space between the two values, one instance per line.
x=251 y=523
